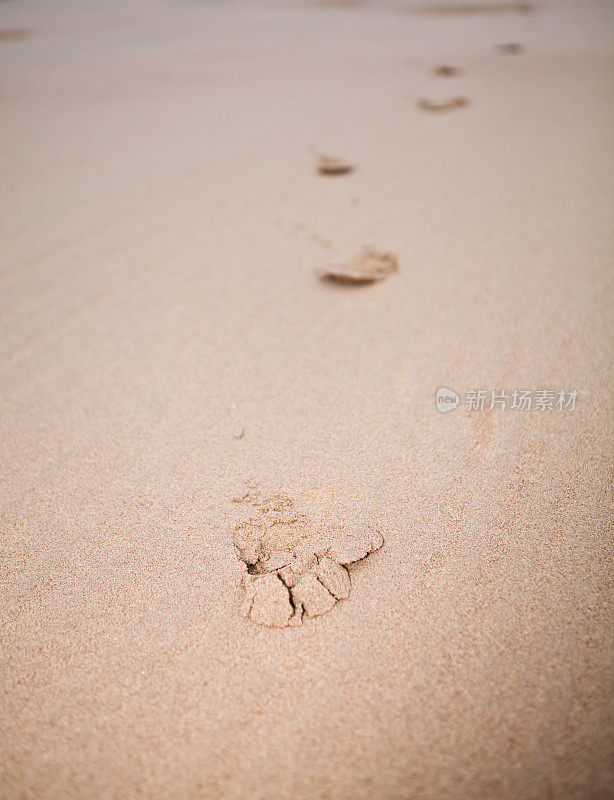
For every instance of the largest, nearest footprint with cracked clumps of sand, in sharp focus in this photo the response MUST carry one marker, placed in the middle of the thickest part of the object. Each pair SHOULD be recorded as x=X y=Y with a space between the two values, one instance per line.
x=292 y=564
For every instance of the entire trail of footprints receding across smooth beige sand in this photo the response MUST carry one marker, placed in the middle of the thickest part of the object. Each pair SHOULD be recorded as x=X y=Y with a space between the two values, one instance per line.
x=292 y=564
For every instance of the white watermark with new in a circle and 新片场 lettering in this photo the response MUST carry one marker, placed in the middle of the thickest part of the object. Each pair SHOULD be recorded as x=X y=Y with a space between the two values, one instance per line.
x=516 y=400
